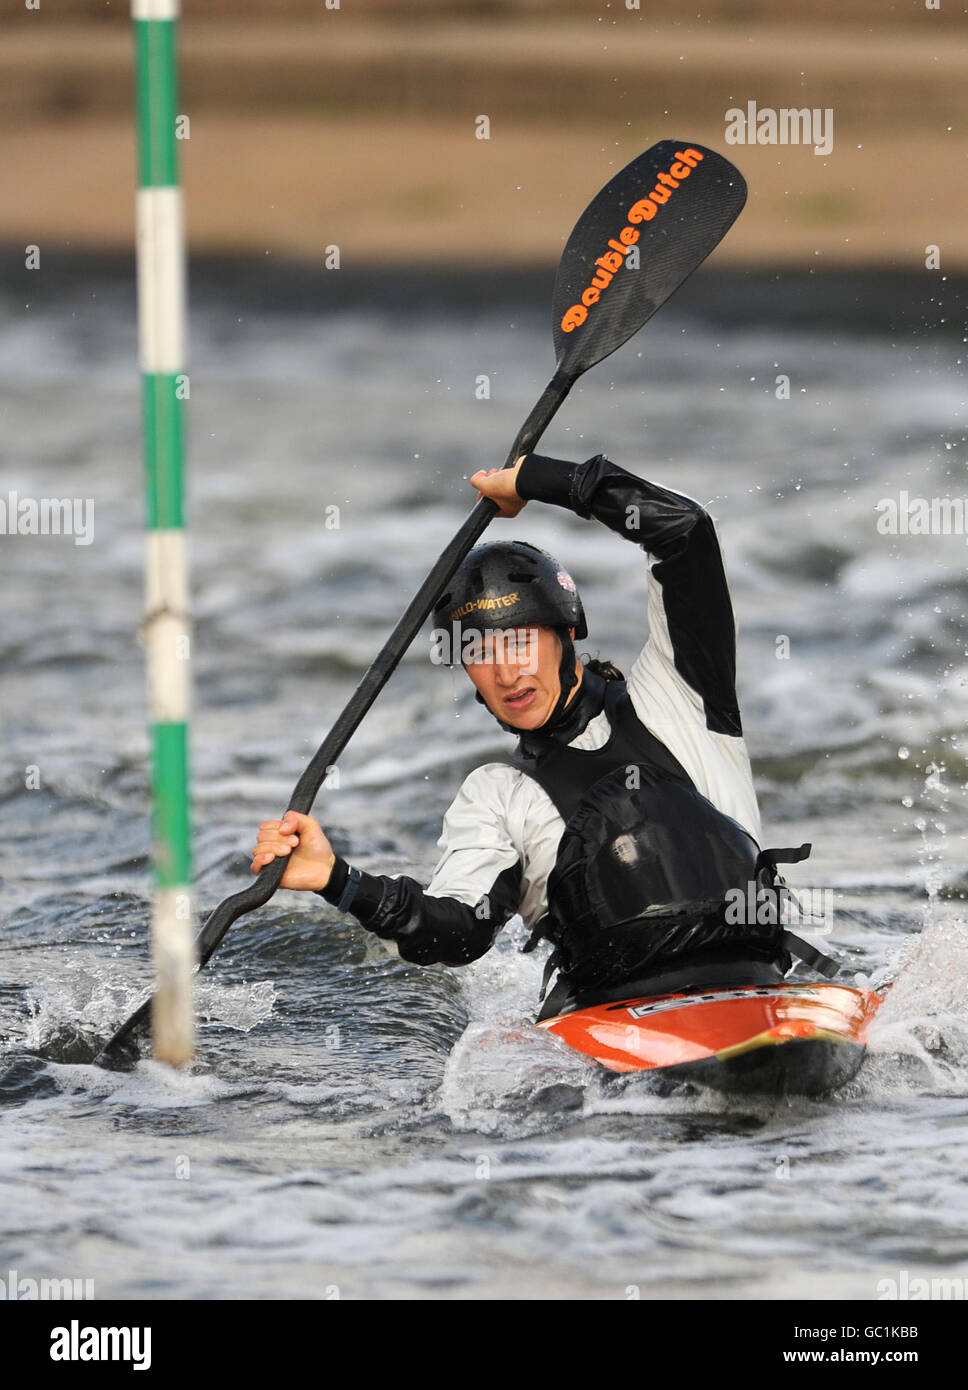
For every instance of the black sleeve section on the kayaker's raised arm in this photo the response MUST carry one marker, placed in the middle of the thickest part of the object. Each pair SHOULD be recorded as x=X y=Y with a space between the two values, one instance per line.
x=681 y=534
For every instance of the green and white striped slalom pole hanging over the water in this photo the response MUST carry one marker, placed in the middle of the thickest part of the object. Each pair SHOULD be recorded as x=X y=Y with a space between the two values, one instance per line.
x=162 y=338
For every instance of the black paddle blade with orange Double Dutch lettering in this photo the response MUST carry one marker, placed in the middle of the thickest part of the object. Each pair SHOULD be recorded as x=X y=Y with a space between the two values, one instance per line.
x=671 y=206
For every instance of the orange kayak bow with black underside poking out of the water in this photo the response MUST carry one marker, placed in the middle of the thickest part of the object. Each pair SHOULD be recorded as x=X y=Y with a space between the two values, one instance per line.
x=775 y=1039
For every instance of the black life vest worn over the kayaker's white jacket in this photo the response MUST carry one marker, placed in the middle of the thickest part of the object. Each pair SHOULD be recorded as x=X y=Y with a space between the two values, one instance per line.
x=645 y=867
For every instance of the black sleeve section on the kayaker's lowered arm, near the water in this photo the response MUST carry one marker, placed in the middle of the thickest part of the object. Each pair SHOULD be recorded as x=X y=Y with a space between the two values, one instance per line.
x=428 y=931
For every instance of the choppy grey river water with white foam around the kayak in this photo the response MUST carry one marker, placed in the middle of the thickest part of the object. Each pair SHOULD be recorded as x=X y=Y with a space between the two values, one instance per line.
x=360 y=1125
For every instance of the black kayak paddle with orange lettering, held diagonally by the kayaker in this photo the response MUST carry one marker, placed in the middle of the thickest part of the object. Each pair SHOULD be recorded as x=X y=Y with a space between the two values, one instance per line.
x=639 y=240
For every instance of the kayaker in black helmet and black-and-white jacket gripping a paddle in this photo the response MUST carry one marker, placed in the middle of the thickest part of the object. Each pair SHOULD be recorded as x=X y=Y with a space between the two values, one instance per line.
x=628 y=811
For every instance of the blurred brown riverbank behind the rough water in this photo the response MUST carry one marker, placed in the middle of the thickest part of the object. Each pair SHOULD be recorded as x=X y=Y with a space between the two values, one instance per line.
x=360 y=130
